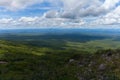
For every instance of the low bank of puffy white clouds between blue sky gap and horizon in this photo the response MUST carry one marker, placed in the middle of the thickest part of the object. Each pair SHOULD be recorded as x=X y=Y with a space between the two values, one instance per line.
x=41 y=22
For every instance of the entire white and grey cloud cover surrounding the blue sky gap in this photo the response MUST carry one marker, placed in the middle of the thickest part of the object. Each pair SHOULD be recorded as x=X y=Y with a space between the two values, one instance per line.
x=72 y=13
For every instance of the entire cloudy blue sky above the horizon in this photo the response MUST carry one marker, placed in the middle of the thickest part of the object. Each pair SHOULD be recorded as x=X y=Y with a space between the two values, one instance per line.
x=59 y=14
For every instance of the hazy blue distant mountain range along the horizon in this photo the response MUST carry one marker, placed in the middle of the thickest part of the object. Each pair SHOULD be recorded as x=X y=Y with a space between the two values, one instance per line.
x=61 y=31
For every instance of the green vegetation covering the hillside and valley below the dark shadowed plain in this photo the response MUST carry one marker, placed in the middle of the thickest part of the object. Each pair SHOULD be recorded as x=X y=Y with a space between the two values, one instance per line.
x=69 y=61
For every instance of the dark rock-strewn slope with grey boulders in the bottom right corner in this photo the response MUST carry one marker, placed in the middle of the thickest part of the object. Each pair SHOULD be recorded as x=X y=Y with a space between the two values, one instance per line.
x=101 y=66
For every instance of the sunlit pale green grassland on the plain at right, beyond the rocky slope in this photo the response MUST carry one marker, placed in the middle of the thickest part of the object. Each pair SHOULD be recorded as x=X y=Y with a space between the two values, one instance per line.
x=93 y=46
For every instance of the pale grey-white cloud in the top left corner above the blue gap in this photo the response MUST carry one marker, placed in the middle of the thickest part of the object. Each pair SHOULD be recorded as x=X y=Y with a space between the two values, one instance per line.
x=18 y=4
